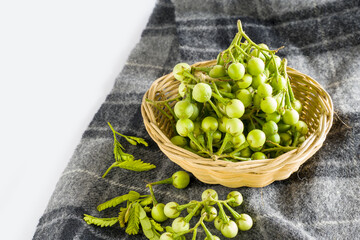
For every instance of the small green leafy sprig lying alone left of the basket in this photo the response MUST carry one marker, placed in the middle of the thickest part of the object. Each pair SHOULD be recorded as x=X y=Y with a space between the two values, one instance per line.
x=126 y=160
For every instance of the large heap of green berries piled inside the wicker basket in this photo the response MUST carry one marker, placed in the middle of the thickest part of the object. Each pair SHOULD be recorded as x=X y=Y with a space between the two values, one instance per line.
x=242 y=108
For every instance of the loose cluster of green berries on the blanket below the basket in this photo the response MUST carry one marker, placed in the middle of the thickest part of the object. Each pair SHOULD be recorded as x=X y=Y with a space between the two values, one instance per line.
x=229 y=226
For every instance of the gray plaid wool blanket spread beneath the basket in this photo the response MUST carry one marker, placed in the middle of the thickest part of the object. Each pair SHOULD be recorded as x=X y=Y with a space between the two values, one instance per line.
x=320 y=201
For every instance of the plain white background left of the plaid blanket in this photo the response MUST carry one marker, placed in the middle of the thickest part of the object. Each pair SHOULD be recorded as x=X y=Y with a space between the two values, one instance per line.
x=58 y=61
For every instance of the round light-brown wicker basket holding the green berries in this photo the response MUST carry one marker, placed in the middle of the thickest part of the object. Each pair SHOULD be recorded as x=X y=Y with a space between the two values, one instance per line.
x=317 y=113
